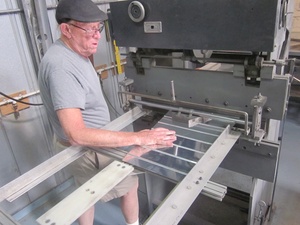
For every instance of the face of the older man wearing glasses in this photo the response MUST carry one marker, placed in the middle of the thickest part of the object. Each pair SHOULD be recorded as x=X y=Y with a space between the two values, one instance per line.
x=84 y=37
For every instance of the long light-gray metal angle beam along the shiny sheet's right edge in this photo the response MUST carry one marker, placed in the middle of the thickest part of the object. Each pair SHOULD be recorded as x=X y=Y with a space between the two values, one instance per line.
x=183 y=195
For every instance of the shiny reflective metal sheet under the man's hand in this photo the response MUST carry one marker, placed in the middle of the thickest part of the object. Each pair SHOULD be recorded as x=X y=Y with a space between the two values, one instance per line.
x=175 y=162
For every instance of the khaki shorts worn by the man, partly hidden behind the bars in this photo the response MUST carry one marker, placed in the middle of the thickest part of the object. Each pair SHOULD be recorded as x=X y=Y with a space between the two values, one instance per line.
x=89 y=165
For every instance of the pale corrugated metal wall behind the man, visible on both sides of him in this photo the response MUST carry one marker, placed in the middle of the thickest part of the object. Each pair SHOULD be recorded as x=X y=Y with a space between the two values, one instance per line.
x=27 y=141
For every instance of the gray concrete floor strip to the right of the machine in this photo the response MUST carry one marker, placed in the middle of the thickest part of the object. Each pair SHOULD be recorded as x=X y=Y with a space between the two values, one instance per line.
x=286 y=210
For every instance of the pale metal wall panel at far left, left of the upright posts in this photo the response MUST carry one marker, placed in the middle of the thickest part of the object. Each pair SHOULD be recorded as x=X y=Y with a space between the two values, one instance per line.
x=25 y=142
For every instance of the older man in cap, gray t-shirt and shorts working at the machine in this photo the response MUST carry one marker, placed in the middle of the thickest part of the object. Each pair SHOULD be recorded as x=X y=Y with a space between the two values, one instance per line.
x=75 y=105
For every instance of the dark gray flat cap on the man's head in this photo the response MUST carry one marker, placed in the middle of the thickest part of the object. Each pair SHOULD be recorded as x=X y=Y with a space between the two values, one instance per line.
x=84 y=11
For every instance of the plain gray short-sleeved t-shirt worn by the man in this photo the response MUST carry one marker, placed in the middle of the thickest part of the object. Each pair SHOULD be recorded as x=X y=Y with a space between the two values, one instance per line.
x=68 y=80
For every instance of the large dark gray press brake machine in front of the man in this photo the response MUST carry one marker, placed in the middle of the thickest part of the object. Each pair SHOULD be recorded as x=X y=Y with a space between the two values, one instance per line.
x=200 y=68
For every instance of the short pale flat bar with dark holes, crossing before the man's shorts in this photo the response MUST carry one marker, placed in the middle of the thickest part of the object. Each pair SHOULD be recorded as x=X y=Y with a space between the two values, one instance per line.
x=69 y=209
